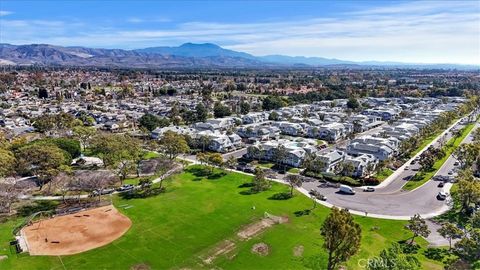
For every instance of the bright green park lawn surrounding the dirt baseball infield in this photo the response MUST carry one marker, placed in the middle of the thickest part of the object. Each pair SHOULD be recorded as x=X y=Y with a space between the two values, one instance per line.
x=173 y=229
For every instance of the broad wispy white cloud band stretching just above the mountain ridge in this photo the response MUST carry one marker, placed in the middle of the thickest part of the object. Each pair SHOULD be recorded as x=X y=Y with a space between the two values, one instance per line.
x=429 y=32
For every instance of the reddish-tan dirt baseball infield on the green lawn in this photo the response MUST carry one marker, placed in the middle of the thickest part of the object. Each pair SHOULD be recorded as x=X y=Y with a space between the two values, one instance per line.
x=75 y=233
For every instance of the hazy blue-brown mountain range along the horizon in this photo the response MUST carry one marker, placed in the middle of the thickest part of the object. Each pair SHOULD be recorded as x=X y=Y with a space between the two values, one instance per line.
x=188 y=55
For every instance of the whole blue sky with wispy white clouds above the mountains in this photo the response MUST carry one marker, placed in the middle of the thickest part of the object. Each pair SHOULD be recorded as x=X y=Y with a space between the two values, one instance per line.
x=407 y=31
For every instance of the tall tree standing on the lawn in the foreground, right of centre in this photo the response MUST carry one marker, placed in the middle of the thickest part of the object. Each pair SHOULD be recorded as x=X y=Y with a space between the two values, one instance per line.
x=341 y=237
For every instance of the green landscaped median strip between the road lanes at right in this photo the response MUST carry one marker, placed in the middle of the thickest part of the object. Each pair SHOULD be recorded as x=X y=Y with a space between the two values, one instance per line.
x=422 y=177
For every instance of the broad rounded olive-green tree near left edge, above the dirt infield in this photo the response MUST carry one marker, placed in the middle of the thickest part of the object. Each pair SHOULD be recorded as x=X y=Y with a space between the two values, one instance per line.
x=41 y=160
